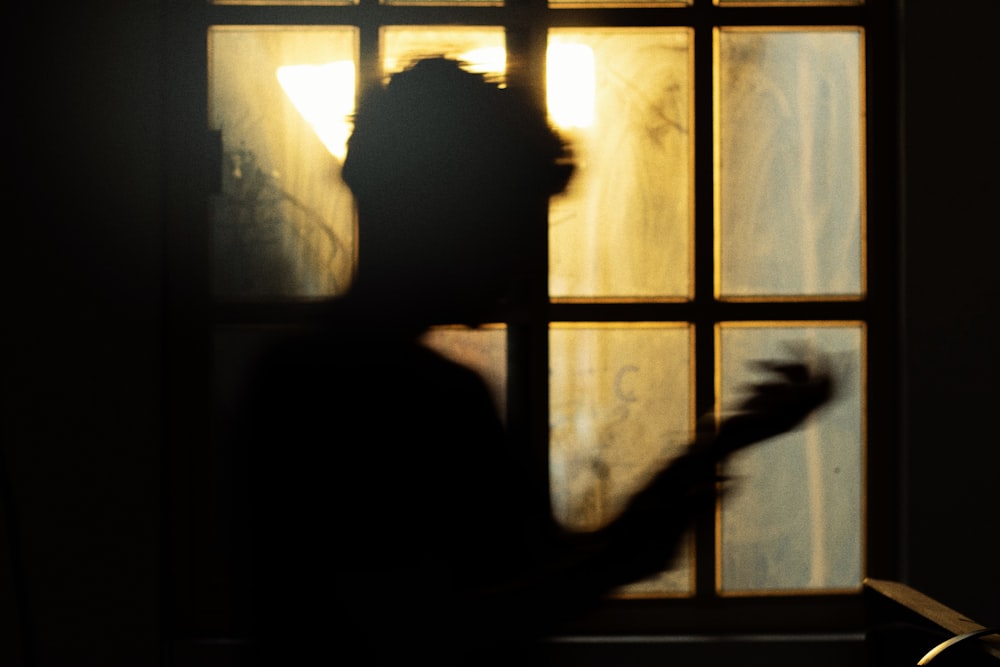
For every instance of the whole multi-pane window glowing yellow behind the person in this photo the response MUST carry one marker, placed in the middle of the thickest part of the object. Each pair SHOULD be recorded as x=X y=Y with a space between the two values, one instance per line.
x=733 y=202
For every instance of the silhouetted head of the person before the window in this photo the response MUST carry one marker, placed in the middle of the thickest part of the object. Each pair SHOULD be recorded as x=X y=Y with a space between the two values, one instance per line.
x=448 y=170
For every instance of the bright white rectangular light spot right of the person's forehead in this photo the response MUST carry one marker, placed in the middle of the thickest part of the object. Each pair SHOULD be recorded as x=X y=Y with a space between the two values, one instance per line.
x=570 y=85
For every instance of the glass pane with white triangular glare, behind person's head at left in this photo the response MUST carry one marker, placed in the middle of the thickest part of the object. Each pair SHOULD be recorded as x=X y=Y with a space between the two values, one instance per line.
x=284 y=222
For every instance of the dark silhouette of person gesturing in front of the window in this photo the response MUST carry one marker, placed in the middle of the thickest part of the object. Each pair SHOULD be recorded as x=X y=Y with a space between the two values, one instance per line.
x=391 y=517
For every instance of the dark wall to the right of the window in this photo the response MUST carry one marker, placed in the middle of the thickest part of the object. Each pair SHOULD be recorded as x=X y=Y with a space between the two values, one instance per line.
x=951 y=300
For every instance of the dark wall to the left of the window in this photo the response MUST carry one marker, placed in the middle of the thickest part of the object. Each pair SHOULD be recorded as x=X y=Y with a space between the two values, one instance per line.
x=81 y=352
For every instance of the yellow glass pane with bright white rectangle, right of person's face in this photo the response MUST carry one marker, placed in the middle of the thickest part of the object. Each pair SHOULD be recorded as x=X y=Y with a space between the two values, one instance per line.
x=622 y=97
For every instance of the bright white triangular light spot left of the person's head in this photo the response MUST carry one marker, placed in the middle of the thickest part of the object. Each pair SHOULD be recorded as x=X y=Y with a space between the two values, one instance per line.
x=324 y=95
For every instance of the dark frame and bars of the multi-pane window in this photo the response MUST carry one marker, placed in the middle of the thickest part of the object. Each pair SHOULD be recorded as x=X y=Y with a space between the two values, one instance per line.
x=195 y=606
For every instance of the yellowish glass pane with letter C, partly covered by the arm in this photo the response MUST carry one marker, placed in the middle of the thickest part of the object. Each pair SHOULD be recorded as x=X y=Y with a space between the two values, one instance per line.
x=620 y=400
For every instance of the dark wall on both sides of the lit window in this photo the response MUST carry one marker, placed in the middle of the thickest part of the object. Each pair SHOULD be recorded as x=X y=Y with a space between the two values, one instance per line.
x=82 y=423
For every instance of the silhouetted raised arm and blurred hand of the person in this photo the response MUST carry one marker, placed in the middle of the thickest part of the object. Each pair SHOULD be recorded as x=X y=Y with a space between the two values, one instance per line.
x=645 y=537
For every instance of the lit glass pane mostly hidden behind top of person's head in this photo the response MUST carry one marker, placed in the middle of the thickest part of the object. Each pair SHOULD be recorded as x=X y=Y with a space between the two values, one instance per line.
x=482 y=48
